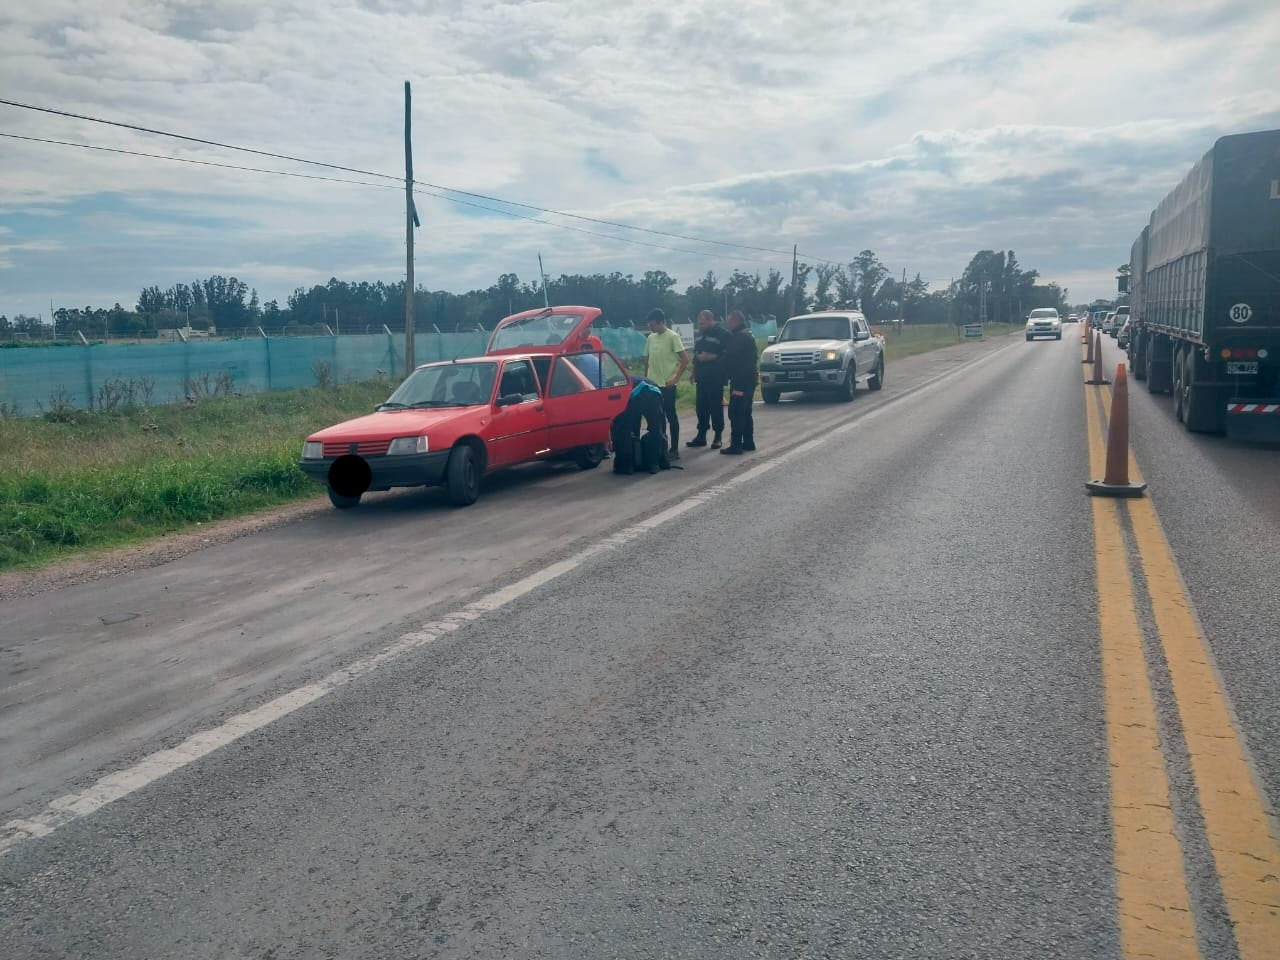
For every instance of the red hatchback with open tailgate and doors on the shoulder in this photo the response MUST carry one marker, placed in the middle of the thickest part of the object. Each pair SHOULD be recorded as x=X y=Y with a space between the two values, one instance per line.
x=543 y=391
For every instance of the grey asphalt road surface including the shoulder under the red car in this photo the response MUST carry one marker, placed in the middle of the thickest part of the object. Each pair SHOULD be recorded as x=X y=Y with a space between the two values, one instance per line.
x=845 y=698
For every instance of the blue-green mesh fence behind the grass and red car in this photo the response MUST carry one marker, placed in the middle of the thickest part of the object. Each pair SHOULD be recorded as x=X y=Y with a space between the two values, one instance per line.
x=35 y=380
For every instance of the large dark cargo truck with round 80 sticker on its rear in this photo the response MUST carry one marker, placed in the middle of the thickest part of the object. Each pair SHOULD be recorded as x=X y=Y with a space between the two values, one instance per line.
x=1205 y=292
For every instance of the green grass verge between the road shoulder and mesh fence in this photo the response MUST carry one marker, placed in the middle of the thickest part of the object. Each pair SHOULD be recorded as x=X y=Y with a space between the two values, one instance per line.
x=79 y=481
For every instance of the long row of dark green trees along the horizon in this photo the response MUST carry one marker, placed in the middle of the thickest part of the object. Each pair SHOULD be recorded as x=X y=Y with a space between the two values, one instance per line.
x=994 y=282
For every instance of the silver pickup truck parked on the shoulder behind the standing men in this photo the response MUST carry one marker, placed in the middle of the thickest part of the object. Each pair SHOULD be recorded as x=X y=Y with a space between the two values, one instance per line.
x=828 y=353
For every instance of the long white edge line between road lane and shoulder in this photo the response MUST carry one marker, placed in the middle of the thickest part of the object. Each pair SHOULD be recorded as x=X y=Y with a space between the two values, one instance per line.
x=115 y=787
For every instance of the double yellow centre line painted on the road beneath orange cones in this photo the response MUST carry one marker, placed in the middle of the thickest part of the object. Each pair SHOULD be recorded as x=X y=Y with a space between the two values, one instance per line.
x=1155 y=904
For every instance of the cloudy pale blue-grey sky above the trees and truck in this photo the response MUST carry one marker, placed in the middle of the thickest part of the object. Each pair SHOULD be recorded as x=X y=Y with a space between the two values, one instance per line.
x=925 y=130
